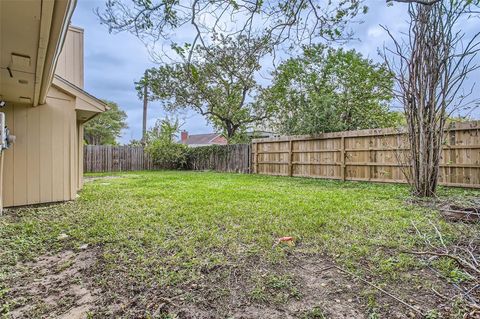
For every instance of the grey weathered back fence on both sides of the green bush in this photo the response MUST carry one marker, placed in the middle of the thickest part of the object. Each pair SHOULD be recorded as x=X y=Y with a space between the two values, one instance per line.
x=224 y=158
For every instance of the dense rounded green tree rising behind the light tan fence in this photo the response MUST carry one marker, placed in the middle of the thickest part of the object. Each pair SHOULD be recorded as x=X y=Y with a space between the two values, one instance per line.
x=327 y=90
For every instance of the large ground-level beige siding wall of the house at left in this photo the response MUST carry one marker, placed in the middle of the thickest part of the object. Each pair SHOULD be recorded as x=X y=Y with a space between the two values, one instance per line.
x=42 y=166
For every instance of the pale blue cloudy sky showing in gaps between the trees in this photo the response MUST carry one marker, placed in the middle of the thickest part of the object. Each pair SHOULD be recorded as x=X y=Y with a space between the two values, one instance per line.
x=113 y=62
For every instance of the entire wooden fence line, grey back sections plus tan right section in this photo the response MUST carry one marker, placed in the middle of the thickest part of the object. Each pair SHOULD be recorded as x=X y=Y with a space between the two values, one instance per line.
x=366 y=155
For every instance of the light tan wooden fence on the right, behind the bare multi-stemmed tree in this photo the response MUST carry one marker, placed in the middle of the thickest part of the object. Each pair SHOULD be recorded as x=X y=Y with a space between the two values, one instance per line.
x=367 y=155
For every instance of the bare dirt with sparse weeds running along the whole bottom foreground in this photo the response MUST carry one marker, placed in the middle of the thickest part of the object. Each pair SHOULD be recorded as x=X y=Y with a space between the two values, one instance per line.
x=306 y=287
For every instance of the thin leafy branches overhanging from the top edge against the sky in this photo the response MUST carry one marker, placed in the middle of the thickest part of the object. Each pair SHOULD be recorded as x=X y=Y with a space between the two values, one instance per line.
x=280 y=20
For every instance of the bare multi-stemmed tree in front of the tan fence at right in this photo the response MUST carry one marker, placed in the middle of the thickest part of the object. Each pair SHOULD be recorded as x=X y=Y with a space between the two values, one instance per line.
x=430 y=67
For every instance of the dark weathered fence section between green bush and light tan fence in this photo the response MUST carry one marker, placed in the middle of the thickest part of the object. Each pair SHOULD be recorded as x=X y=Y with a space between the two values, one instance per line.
x=225 y=158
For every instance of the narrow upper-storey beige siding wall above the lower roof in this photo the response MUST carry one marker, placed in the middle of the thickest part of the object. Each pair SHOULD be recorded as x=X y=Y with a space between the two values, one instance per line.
x=70 y=62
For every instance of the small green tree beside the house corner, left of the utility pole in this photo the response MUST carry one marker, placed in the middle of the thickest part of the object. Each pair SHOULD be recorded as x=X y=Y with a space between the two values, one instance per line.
x=105 y=128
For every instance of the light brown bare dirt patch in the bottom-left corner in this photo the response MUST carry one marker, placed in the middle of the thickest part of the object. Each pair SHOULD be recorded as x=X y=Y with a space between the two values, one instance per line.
x=54 y=286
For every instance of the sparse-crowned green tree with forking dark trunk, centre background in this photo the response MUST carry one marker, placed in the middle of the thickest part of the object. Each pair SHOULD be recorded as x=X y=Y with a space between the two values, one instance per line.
x=218 y=82
